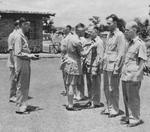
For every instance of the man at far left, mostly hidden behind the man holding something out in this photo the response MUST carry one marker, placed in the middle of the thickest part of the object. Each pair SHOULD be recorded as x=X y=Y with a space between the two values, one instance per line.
x=12 y=97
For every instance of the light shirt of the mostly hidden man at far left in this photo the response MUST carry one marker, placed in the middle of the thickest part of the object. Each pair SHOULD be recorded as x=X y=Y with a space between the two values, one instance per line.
x=10 y=62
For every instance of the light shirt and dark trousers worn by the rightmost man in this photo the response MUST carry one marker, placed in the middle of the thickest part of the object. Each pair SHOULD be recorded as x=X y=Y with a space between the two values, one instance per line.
x=130 y=82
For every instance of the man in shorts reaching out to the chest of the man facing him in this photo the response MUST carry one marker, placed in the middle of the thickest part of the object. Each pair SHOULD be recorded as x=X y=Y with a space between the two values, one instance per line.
x=73 y=68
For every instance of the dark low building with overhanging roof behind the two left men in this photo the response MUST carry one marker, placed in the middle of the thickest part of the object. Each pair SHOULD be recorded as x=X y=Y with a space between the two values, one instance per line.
x=36 y=34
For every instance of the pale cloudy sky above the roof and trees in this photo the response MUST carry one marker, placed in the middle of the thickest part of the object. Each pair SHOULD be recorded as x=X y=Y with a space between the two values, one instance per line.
x=75 y=11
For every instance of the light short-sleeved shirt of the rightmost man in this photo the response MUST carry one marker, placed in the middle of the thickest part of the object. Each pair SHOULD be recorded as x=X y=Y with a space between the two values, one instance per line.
x=136 y=51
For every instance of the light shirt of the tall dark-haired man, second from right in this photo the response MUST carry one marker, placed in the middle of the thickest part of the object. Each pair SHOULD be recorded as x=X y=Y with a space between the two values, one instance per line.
x=114 y=51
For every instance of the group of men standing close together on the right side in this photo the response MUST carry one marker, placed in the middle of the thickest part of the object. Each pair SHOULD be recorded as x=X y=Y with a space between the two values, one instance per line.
x=122 y=57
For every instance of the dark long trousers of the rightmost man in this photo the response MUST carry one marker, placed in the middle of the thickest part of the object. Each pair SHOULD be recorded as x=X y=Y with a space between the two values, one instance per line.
x=131 y=98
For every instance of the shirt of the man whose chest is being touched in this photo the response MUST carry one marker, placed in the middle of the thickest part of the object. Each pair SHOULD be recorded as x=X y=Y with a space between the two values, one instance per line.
x=94 y=58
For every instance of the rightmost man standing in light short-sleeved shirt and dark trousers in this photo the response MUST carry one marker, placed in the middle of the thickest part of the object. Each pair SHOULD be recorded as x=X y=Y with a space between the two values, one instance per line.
x=132 y=75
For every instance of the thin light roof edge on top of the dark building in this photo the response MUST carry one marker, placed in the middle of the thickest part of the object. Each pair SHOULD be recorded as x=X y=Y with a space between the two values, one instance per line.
x=27 y=12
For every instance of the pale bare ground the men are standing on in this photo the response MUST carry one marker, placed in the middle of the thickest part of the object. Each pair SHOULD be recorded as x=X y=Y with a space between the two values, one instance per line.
x=46 y=86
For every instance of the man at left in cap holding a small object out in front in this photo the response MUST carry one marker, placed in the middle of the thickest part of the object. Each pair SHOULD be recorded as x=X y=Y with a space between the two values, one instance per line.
x=22 y=65
